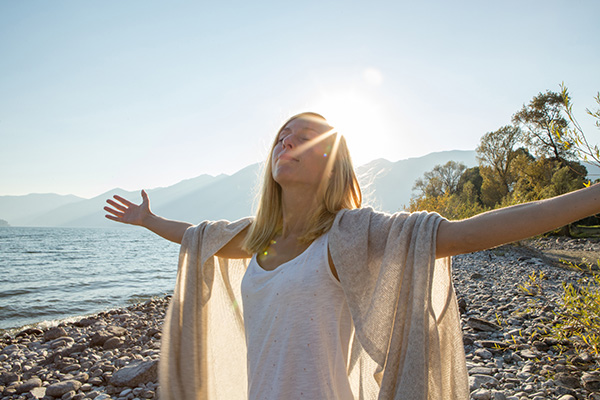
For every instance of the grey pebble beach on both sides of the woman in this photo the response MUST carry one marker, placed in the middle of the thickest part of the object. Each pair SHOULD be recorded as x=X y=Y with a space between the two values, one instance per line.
x=114 y=354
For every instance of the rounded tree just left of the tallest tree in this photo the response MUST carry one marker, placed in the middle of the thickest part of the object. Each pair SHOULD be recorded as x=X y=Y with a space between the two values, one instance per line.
x=496 y=151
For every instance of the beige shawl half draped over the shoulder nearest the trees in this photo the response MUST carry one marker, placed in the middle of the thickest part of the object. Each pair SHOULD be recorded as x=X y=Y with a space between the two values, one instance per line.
x=402 y=302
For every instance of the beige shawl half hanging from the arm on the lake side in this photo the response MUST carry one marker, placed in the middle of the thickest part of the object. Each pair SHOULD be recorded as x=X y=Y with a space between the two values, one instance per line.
x=203 y=344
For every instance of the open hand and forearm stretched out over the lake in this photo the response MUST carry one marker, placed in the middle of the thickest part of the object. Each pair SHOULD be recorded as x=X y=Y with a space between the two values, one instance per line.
x=124 y=211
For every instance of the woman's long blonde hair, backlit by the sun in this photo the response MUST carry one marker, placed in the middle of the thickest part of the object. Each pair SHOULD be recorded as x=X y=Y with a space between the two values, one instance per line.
x=339 y=190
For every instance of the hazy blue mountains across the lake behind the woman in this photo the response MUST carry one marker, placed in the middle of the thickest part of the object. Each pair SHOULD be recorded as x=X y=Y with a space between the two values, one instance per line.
x=386 y=186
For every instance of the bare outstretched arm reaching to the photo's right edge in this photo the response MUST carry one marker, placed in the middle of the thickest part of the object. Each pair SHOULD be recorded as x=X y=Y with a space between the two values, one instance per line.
x=506 y=225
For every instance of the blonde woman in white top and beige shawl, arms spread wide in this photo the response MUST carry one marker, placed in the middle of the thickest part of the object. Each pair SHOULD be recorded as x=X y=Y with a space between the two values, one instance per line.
x=338 y=301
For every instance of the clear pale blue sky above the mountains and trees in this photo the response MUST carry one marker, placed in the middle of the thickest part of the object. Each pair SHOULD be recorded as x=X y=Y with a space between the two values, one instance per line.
x=141 y=94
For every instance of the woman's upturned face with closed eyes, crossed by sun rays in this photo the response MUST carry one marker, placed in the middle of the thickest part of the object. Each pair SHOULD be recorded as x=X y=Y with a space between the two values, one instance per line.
x=301 y=153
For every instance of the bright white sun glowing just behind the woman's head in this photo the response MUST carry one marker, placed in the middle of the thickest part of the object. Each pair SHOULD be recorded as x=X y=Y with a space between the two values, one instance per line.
x=359 y=119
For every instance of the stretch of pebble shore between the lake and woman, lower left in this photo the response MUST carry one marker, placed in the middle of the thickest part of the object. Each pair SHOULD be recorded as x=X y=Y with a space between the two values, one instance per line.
x=106 y=355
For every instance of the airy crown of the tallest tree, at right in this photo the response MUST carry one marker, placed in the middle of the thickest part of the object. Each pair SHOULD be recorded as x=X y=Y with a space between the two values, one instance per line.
x=543 y=125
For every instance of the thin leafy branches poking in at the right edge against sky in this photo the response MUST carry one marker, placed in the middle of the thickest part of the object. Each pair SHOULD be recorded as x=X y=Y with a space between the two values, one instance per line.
x=574 y=138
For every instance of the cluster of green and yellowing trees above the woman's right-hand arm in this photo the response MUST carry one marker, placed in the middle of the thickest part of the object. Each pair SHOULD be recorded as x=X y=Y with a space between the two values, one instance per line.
x=508 y=174
